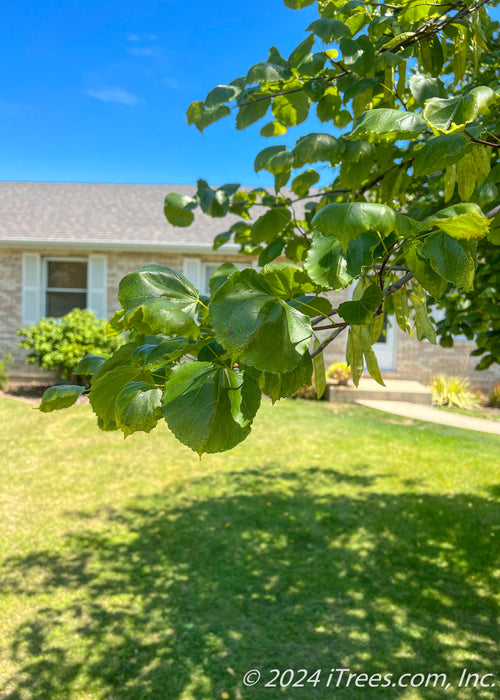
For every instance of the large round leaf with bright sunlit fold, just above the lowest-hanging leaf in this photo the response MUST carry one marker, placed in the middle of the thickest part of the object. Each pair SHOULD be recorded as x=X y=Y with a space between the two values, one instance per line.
x=253 y=319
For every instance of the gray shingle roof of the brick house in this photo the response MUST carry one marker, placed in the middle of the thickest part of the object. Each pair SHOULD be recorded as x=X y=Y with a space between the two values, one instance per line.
x=108 y=215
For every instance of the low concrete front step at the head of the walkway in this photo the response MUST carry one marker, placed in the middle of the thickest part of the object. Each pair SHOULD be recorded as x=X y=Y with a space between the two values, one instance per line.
x=370 y=390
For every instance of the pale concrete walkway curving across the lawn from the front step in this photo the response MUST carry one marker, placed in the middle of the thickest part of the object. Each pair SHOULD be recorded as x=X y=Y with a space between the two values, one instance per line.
x=433 y=415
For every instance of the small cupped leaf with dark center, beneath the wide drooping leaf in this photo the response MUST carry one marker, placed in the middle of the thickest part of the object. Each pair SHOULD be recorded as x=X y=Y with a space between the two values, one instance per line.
x=326 y=264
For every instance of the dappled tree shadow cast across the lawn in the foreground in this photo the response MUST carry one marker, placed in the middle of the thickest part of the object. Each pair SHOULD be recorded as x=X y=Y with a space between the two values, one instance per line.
x=179 y=602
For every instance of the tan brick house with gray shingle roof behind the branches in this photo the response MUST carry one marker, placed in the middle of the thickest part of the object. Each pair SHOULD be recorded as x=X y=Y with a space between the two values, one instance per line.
x=66 y=245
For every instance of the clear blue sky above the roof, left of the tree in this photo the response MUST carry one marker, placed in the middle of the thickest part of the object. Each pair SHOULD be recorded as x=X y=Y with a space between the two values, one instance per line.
x=97 y=90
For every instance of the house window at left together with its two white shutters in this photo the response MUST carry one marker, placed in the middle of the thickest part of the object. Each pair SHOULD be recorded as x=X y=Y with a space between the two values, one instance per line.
x=52 y=285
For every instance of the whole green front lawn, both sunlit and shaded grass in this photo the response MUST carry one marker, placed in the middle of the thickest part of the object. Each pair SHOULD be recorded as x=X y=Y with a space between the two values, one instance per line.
x=334 y=537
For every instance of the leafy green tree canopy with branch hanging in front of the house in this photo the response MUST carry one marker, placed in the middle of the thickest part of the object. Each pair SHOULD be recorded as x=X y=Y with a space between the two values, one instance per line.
x=408 y=94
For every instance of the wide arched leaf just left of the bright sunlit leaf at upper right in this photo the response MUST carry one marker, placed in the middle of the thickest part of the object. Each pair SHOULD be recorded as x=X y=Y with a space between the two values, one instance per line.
x=387 y=124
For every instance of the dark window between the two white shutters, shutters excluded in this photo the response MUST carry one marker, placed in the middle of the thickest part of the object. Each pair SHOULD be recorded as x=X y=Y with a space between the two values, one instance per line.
x=65 y=286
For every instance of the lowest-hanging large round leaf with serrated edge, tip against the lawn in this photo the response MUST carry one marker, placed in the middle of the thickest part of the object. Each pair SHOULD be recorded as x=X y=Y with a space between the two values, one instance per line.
x=210 y=408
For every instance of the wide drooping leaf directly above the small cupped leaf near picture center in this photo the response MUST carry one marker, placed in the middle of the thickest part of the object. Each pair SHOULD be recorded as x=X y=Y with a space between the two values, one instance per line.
x=348 y=221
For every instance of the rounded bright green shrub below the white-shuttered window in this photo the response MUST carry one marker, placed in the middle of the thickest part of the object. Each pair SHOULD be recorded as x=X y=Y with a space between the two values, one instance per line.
x=58 y=344
